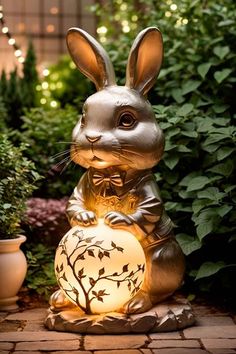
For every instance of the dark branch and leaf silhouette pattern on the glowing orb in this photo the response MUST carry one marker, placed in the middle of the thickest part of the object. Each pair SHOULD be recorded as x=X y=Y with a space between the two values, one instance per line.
x=86 y=247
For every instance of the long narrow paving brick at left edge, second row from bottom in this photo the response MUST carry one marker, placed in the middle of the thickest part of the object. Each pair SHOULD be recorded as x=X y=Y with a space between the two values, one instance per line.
x=36 y=336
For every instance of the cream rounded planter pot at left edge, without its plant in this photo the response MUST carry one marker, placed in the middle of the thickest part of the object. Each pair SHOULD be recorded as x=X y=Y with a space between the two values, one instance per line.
x=13 y=267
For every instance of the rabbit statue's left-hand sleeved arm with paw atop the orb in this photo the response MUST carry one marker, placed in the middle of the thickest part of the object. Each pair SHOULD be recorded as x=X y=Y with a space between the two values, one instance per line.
x=76 y=210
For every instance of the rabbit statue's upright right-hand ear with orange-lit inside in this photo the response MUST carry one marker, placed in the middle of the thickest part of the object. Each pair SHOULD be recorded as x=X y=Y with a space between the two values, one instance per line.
x=145 y=60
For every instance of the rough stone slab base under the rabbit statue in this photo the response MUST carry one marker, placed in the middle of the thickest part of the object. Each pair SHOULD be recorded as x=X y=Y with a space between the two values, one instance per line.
x=167 y=316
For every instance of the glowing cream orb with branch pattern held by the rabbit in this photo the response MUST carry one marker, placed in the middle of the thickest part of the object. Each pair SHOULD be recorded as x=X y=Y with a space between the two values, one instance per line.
x=99 y=268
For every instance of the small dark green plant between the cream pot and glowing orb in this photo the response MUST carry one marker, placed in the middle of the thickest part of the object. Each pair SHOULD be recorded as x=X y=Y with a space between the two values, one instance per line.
x=40 y=275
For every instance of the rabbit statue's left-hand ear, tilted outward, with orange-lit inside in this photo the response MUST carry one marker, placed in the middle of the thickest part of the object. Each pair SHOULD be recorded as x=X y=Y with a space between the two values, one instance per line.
x=90 y=57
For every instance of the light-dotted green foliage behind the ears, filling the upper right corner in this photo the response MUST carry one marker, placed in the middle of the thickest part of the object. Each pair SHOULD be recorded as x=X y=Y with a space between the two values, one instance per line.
x=199 y=47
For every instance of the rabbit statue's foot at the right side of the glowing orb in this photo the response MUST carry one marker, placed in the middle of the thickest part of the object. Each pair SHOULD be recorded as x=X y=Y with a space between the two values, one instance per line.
x=140 y=303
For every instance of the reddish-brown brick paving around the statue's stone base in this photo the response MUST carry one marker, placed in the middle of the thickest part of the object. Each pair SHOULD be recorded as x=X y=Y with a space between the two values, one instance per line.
x=23 y=332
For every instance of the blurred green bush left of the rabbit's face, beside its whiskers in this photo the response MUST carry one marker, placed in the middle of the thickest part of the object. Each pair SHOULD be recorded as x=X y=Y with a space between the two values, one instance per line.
x=48 y=133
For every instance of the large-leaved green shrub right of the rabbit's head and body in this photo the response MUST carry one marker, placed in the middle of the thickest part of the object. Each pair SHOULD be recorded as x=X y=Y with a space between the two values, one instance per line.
x=197 y=181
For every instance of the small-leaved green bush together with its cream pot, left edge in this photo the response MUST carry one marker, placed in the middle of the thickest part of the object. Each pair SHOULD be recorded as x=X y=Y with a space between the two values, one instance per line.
x=17 y=182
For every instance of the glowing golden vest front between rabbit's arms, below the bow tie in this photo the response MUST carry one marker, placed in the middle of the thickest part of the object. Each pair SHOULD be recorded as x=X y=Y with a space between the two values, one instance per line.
x=102 y=205
